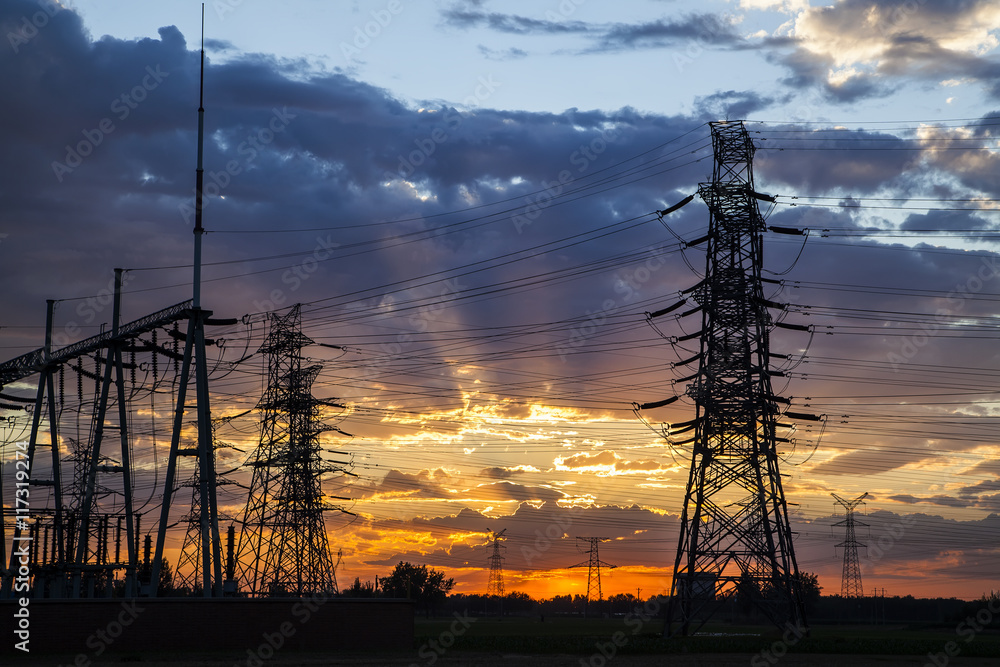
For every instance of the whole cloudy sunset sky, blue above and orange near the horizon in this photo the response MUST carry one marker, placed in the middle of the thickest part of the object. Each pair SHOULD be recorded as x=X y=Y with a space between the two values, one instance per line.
x=462 y=195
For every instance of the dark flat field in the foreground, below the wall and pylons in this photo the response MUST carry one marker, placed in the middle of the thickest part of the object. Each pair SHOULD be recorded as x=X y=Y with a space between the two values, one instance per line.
x=489 y=642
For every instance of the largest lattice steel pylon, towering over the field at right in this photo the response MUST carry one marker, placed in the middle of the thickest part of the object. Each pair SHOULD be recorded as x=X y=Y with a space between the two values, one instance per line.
x=735 y=536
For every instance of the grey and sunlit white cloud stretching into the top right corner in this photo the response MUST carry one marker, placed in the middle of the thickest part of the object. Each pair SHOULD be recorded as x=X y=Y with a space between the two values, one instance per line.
x=850 y=50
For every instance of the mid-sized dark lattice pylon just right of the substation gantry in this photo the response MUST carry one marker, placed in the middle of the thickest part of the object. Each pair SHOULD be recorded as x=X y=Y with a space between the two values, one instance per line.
x=283 y=547
